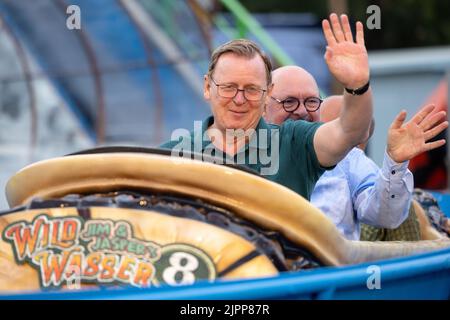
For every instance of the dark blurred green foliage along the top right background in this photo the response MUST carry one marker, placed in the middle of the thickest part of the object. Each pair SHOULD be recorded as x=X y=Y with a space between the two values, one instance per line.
x=404 y=23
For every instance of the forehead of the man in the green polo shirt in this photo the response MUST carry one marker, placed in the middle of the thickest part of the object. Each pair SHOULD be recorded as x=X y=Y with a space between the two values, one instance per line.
x=232 y=68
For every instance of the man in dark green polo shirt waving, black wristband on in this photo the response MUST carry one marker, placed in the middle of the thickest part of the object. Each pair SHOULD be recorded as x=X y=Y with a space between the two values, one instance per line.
x=295 y=153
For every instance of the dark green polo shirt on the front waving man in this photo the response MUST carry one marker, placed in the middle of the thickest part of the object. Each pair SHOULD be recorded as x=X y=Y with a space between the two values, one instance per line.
x=284 y=154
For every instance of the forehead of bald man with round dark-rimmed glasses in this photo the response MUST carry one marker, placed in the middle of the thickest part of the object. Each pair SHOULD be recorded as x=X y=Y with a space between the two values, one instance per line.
x=294 y=85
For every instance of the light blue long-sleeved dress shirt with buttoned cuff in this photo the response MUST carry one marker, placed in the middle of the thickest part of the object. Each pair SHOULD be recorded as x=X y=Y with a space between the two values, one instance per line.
x=356 y=191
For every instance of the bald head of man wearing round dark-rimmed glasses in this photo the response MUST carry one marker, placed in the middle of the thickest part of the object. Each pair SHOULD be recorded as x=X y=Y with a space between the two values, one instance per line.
x=291 y=82
